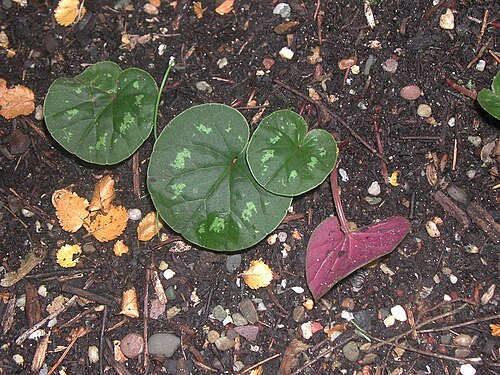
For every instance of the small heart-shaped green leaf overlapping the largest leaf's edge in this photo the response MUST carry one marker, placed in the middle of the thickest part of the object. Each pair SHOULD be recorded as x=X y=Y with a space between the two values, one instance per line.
x=287 y=161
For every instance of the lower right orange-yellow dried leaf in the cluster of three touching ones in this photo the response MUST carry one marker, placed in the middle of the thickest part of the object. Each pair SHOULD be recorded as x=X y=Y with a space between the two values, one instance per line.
x=107 y=227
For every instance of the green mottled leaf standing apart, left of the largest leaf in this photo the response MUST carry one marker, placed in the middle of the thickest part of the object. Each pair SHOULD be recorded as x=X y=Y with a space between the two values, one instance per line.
x=104 y=114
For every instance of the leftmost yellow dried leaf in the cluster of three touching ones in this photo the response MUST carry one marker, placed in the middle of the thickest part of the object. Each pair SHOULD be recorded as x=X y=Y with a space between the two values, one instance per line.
x=71 y=210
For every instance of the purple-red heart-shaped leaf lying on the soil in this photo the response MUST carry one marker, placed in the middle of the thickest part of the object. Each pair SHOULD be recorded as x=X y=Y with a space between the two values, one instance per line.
x=333 y=254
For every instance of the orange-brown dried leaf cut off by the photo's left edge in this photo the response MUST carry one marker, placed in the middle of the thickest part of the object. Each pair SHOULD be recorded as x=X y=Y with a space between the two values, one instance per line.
x=17 y=101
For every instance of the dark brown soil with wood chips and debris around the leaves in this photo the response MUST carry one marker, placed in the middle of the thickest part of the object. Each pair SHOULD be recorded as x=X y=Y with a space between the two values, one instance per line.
x=450 y=274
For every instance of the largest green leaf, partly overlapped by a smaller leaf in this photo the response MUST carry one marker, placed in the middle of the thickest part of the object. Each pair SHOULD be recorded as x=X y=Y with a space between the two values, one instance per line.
x=201 y=185
